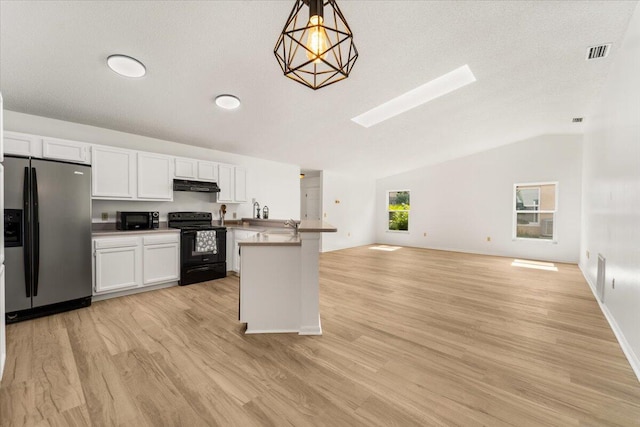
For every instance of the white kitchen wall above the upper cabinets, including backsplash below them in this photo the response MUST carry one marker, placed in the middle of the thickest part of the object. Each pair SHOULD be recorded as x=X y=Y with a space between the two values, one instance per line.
x=274 y=184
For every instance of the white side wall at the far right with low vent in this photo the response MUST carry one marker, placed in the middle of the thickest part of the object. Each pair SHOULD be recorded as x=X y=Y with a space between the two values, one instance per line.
x=611 y=188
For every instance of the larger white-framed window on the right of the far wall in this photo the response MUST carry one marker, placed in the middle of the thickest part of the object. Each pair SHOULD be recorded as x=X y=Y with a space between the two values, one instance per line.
x=534 y=211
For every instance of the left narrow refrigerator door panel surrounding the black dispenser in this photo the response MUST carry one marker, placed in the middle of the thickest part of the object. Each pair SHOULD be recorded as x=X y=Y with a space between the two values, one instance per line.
x=17 y=290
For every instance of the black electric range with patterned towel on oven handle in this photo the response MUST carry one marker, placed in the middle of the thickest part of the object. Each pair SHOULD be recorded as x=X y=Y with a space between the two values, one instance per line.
x=203 y=247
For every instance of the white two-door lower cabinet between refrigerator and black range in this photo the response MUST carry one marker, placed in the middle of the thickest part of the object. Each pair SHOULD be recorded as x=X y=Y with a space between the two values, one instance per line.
x=124 y=263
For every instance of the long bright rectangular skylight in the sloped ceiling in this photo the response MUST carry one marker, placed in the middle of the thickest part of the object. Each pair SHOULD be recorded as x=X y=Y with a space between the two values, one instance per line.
x=422 y=94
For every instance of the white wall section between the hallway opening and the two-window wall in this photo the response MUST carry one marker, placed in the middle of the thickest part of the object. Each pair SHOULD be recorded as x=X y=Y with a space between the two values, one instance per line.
x=348 y=203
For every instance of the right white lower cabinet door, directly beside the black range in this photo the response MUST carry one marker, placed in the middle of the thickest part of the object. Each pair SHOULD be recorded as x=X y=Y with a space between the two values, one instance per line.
x=161 y=261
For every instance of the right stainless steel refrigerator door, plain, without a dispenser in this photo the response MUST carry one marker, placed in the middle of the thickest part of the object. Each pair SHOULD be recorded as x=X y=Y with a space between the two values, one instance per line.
x=62 y=232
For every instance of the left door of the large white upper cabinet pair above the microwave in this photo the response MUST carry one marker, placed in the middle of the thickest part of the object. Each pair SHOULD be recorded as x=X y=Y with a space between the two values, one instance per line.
x=113 y=173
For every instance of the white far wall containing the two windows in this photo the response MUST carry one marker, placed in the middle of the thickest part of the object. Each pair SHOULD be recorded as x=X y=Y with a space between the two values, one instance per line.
x=461 y=202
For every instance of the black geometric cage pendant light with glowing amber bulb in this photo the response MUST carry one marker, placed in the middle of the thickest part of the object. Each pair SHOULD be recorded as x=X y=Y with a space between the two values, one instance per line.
x=316 y=46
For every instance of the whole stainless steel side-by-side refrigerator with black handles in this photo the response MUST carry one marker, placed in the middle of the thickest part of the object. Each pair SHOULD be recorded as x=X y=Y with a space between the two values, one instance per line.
x=47 y=219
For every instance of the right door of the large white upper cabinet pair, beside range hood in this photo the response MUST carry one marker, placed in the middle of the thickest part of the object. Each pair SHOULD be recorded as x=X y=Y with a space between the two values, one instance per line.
x=155 y=177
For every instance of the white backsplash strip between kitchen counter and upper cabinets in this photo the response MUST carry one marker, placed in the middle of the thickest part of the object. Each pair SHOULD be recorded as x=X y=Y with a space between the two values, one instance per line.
x=182 y=201
